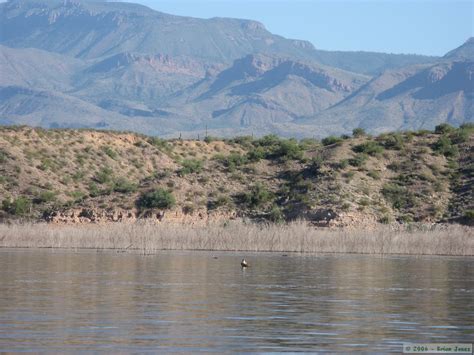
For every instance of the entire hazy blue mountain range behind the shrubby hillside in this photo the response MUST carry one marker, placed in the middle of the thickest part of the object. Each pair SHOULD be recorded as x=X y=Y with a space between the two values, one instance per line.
x=106 y=65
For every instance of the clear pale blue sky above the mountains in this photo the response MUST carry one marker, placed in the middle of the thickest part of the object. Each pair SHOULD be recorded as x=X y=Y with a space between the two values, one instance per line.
x=430 y=27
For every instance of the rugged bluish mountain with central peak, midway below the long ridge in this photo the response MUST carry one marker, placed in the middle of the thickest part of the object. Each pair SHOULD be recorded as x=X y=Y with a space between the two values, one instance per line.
x=265 y=94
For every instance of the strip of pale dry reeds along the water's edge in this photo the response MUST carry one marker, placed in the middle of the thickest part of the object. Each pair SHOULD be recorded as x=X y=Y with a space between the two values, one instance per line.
x=238 y=236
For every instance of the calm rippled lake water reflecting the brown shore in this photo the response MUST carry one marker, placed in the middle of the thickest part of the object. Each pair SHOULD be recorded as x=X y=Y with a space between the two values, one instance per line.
x=178 y=301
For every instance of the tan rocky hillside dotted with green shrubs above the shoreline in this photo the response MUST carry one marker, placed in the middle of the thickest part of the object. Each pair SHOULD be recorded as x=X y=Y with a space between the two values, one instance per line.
x=83 y=176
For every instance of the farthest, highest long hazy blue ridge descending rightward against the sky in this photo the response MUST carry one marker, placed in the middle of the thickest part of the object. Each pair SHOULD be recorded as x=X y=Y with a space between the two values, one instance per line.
x=95 y=29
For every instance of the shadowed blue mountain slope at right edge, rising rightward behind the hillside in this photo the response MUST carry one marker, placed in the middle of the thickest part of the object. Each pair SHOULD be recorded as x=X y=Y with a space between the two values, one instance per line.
x=410 y=98
